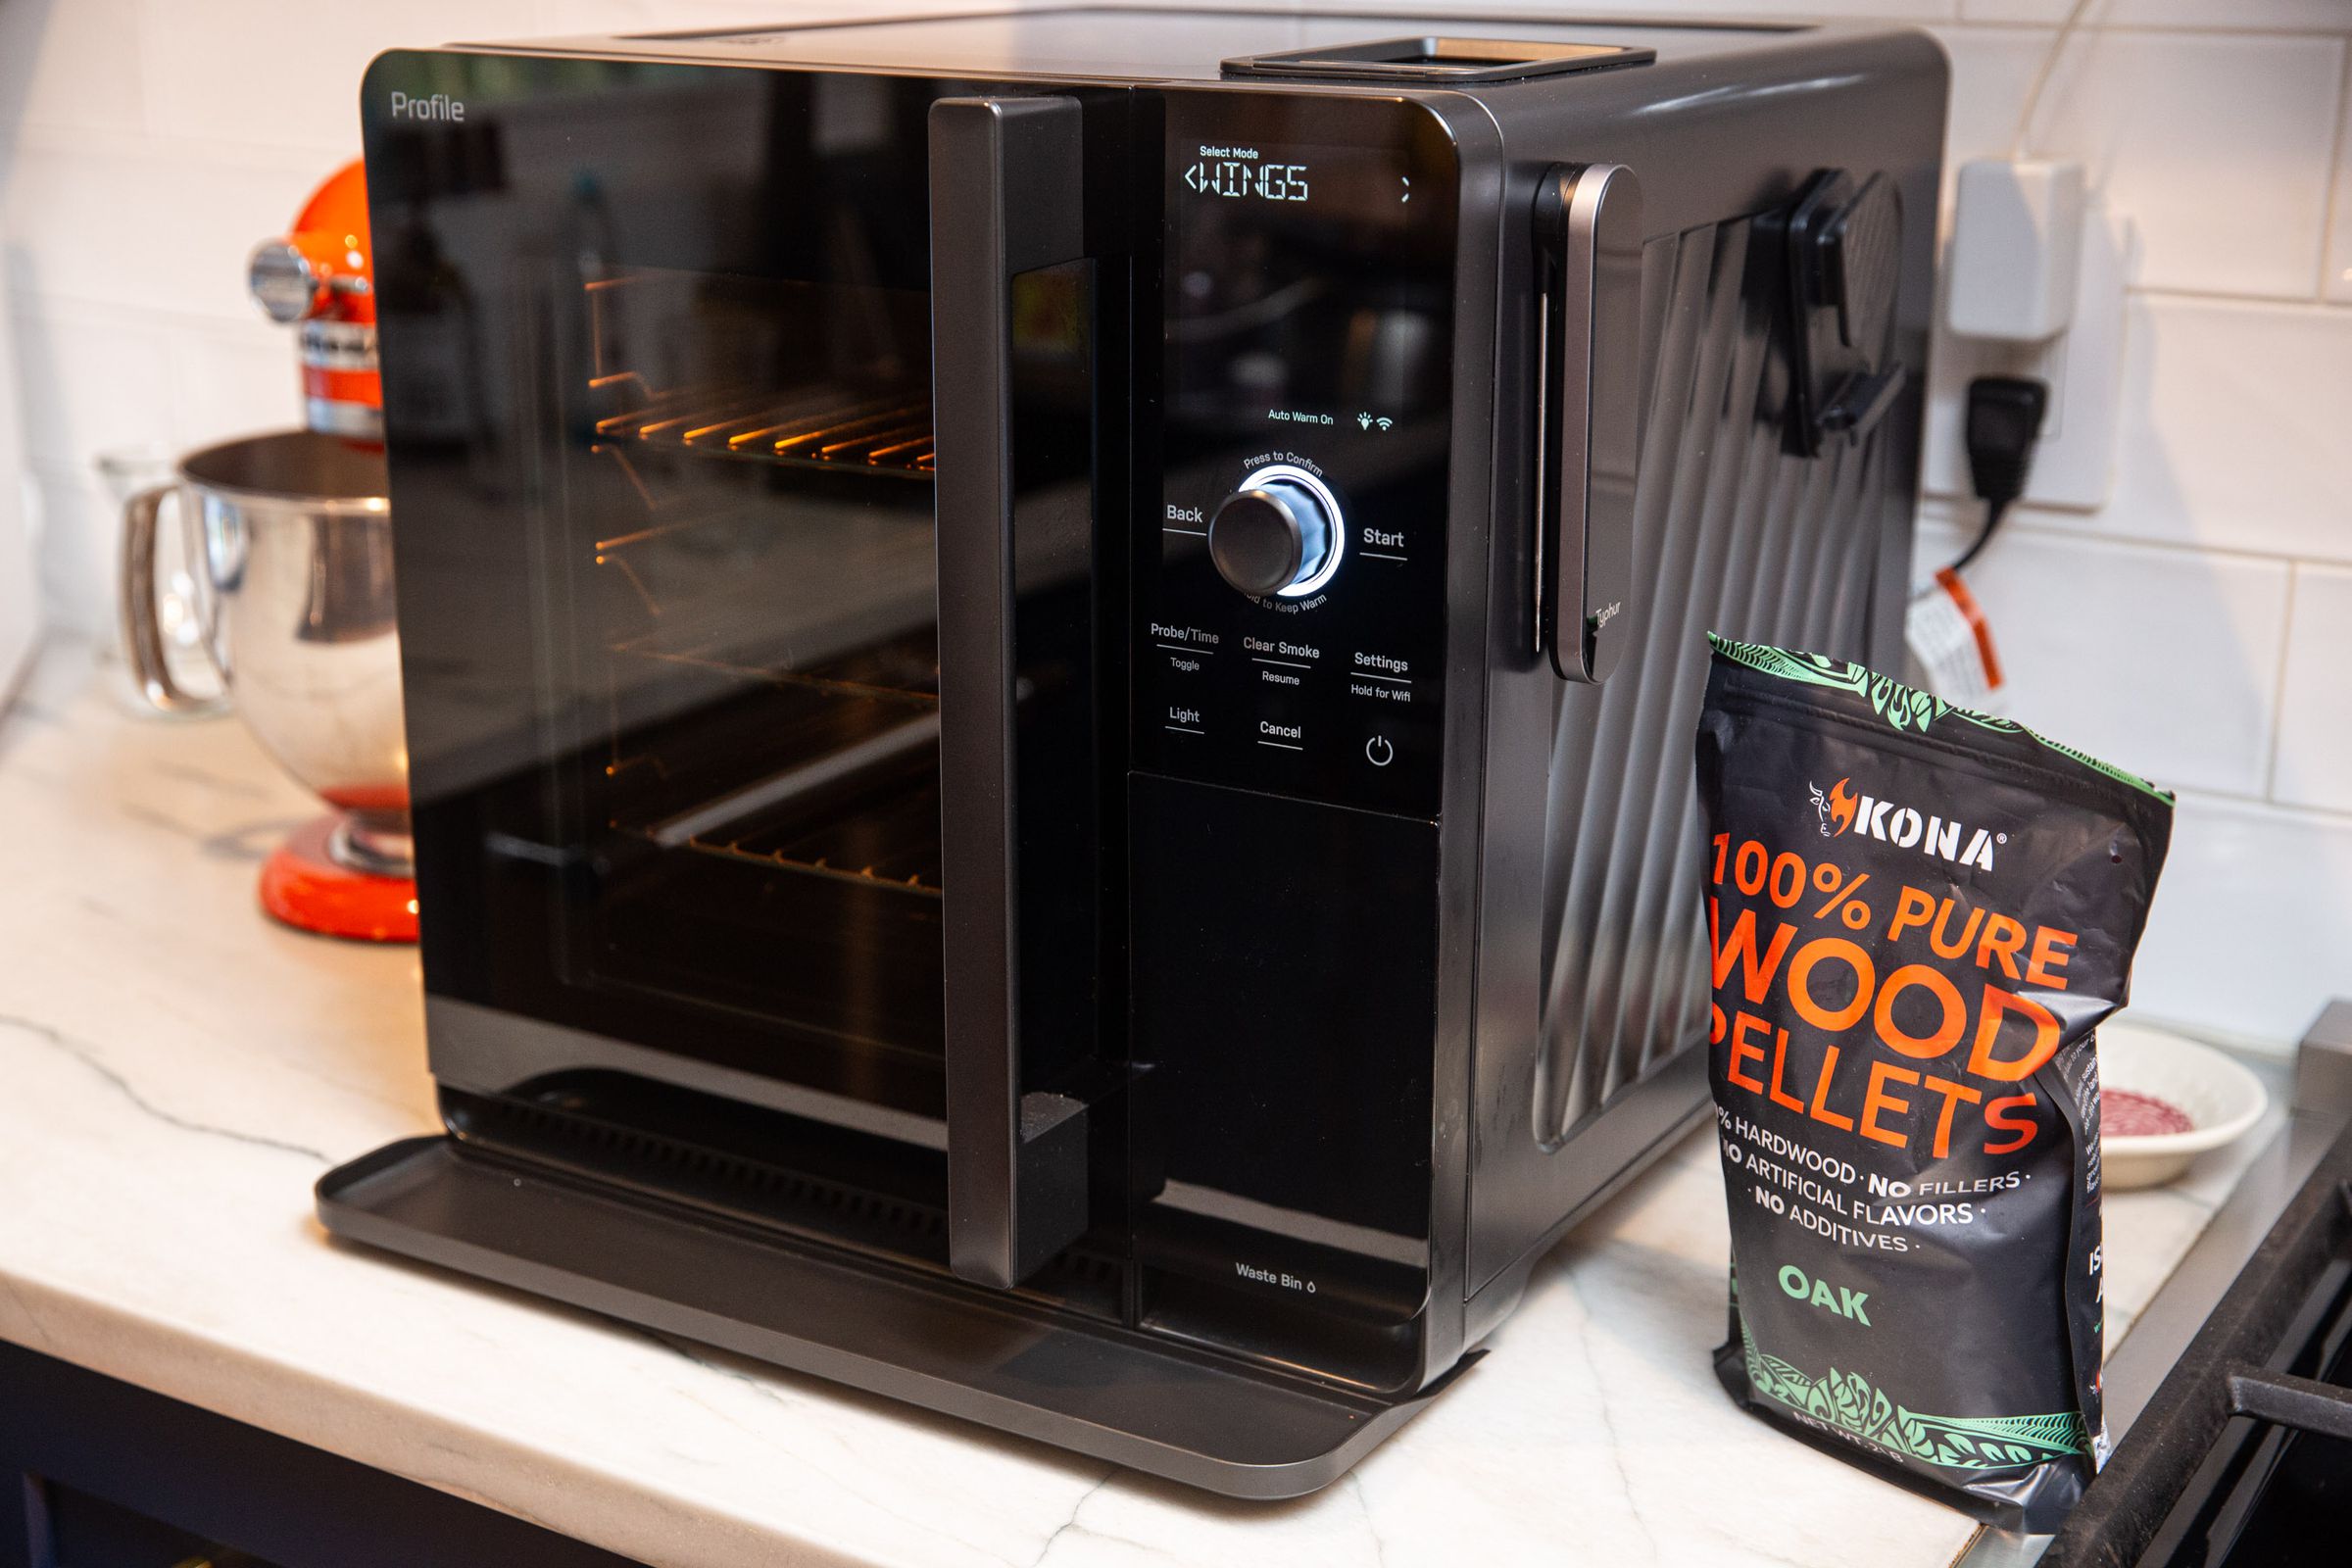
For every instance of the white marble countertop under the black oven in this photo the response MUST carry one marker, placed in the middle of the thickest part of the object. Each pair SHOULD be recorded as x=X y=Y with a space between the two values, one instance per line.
x=180 y=1071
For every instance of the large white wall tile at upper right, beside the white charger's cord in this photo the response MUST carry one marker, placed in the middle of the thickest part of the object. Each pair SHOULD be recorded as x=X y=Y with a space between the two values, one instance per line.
x=2214 y=145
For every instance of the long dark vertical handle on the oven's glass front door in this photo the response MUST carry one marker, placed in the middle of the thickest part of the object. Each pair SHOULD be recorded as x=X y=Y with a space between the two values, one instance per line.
x=1005 y=199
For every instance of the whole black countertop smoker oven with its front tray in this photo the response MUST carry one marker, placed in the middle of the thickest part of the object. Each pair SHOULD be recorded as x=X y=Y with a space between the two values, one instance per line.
x=1050 y=666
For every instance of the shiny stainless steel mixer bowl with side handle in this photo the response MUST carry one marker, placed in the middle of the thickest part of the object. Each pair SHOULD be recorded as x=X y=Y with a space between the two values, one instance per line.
x=293 y=563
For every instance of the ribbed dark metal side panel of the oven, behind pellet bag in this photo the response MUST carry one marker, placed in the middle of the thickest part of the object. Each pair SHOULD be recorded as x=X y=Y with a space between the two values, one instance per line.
x=1739 y=537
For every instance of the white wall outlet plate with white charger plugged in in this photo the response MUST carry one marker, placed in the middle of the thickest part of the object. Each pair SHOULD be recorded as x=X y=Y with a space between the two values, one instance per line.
x=2083 y=368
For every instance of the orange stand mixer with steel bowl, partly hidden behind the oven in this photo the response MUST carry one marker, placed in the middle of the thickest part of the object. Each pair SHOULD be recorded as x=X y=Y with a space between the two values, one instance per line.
x=290 y=549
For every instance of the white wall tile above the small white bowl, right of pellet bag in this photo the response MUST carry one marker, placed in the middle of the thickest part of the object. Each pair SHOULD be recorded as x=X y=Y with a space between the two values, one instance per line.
x=2252 y=930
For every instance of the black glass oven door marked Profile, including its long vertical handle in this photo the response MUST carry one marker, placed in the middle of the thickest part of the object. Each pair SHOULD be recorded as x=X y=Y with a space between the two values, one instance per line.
x=726 y=800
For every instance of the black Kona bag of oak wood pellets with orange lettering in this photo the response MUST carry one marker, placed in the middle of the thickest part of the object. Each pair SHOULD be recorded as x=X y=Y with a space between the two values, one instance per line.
x=1918 y=920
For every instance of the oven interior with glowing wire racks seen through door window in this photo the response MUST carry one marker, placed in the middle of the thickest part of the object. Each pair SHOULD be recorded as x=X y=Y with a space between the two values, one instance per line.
x=751 y=631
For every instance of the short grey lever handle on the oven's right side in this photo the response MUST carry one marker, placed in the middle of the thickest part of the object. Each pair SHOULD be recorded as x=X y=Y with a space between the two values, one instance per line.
x=1589 y=241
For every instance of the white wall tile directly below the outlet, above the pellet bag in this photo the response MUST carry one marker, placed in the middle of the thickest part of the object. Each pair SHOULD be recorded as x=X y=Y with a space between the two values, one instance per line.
x=2109 y=645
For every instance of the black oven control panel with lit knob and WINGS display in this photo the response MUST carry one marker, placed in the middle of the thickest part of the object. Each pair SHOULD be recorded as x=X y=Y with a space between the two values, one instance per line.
x=1290 y=579
